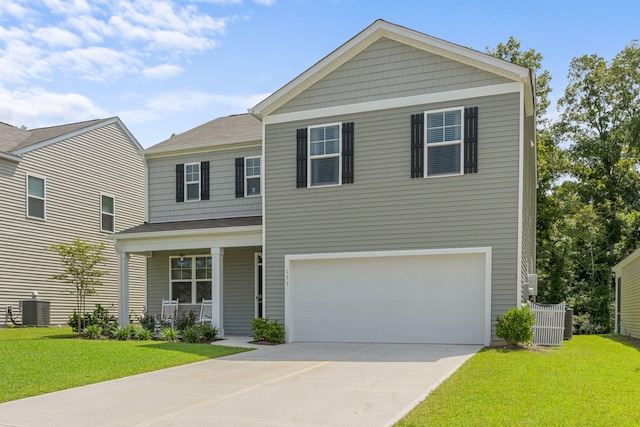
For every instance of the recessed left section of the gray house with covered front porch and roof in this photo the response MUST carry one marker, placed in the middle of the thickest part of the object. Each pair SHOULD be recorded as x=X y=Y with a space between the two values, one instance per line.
x=203 y=233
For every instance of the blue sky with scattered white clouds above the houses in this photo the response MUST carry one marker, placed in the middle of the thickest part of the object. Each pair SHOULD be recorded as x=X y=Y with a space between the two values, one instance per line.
x=167 y=66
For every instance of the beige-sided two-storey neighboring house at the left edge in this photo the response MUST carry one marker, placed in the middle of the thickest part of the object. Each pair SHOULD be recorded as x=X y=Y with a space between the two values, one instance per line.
x=76 y=181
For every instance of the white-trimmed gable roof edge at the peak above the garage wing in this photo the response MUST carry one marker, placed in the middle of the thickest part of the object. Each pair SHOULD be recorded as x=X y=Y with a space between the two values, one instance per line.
x=383 y=29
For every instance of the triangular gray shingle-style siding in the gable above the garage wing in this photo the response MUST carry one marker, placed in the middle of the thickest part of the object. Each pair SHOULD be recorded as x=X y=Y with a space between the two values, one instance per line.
x=388 y=69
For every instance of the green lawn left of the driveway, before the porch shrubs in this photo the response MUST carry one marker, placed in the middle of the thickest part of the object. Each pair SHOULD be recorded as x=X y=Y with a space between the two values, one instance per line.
x=34 y=361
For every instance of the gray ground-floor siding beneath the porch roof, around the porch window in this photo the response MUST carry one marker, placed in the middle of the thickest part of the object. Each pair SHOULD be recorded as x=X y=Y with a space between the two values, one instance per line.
x=238 y=287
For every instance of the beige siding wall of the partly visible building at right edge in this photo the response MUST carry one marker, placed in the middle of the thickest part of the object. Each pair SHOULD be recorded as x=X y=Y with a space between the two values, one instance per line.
x=630 y=299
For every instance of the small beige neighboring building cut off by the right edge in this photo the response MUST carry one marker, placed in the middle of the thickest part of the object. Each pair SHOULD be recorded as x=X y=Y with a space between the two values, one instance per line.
x=627 y=274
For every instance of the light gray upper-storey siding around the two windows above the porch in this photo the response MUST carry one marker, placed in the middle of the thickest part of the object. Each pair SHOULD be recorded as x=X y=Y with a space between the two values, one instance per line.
x=222 y=201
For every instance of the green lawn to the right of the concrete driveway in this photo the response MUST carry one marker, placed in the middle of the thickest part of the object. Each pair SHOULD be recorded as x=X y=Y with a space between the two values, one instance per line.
x=589 y=381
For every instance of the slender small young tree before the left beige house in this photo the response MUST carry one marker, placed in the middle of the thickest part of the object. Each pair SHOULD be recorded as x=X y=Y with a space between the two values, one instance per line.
x=80 y=261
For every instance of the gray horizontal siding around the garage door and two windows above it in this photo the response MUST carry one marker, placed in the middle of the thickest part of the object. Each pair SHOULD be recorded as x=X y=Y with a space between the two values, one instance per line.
x=387 y=210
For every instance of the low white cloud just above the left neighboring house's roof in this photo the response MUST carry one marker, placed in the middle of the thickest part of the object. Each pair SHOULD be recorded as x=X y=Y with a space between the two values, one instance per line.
x=35 y=107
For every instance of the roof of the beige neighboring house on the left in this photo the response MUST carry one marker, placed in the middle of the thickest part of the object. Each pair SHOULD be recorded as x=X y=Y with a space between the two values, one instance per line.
x=14 y=141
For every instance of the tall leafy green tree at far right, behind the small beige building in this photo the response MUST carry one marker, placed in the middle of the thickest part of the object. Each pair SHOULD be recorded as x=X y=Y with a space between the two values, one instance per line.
x=600 y=123
